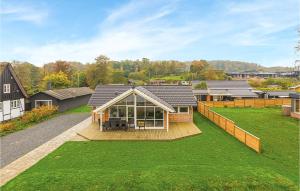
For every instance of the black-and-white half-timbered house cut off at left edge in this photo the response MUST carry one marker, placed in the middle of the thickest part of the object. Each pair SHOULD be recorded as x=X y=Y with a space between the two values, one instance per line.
x=12 y=94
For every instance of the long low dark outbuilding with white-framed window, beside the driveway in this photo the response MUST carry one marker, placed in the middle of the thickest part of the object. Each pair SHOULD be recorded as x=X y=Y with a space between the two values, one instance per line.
x=63 y=98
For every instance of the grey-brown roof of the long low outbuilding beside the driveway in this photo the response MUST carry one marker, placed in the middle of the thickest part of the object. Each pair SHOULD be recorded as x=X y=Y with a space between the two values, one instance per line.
x=67 y=93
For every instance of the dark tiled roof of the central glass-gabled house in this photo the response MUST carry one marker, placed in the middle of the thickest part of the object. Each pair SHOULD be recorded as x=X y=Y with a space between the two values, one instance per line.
x=172 y=95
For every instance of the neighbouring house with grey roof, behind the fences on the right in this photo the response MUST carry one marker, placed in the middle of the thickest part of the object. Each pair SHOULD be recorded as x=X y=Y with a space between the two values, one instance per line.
x=222 y=90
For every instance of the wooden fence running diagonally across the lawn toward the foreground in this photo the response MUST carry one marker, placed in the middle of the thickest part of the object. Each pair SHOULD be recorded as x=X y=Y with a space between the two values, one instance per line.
x=230 y=127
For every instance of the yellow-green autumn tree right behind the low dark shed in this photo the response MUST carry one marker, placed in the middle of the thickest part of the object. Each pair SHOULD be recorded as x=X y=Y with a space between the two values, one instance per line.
x=57 y=80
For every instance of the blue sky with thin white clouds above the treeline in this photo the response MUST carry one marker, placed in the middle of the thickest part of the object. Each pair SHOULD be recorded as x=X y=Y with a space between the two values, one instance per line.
x=41 y=31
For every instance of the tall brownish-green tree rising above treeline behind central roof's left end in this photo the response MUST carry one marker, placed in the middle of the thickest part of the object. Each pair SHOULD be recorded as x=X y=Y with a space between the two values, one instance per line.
x=100 y=72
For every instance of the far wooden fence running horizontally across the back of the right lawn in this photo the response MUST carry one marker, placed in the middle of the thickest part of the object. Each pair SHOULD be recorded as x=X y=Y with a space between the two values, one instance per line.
x=250 y=102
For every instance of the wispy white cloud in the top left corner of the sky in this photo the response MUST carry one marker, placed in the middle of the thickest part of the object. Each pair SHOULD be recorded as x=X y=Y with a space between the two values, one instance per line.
x=17 y=12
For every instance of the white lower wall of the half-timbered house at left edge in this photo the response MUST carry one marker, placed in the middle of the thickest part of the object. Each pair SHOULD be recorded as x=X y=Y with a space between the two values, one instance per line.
x=9 y=113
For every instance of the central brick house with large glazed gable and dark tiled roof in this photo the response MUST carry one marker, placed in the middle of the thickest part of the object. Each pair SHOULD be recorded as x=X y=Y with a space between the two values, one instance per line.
x=153 y=106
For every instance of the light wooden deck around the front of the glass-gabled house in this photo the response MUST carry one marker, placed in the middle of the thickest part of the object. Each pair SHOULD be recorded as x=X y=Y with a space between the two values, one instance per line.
x=176 y=131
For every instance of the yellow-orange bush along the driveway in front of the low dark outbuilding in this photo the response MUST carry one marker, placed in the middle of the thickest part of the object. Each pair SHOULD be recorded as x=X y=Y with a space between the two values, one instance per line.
x=38 y=114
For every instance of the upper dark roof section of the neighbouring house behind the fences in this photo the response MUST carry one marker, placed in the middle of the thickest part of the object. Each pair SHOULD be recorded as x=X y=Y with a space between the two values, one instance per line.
x=227 y=84
